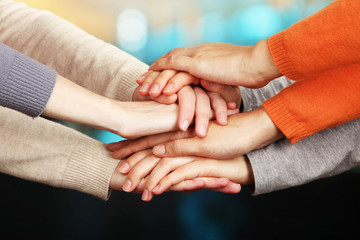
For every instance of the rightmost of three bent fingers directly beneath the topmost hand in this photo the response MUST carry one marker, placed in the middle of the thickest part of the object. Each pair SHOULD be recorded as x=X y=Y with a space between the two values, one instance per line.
x=180 y=80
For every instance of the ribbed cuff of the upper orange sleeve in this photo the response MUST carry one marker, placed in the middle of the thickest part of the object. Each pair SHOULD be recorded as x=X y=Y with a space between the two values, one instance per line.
x=281 y=57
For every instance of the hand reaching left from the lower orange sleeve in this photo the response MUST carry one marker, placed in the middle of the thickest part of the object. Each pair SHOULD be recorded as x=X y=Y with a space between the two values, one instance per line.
x=243 y=133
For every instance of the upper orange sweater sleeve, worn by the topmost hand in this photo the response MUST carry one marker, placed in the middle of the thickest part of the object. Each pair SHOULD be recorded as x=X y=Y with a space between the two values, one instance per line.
x=327 y=40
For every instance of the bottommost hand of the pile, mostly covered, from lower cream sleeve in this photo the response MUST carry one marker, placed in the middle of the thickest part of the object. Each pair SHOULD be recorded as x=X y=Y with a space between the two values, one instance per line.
x=216 y=184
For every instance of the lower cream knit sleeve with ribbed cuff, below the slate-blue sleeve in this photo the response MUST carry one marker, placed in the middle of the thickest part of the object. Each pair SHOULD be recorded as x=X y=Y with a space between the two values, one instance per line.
x=59 y=157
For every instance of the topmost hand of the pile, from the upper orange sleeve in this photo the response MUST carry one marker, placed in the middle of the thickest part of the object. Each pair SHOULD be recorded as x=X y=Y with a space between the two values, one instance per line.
x=248 y=66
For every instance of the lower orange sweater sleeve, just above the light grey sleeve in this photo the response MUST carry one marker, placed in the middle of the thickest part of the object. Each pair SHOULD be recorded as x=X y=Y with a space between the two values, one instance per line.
x=317 y=103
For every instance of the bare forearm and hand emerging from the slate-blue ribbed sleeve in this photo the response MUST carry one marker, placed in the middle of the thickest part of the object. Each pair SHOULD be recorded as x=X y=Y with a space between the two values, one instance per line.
x=71 y=102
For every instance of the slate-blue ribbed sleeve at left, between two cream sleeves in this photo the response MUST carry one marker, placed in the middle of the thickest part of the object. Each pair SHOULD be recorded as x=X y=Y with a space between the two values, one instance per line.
x=25 y=84
